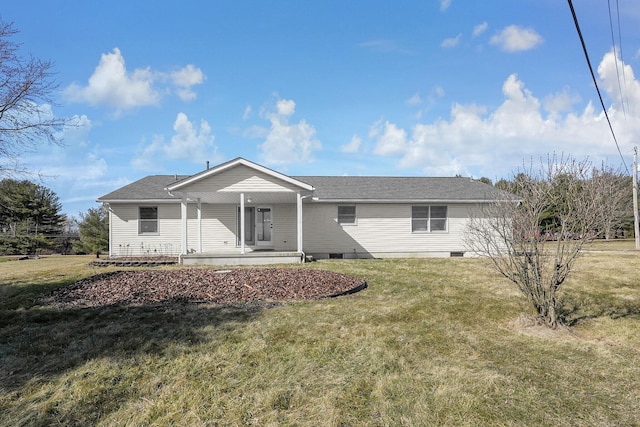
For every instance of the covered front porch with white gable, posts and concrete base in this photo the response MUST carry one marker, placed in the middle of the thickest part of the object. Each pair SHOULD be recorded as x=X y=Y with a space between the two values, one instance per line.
x=241 y=214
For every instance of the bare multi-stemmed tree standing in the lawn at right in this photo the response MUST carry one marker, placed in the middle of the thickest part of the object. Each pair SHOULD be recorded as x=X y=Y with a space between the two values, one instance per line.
x=534 y=241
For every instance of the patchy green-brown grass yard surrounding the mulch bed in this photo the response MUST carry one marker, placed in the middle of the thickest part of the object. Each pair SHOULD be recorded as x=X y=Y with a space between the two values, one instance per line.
x=430 y=342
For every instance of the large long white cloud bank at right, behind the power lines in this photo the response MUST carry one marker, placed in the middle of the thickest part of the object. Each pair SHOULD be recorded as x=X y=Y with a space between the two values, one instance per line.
x=495 y=141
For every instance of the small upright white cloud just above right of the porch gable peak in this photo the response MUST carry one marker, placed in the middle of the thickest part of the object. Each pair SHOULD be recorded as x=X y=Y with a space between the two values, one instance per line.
x=288 y=143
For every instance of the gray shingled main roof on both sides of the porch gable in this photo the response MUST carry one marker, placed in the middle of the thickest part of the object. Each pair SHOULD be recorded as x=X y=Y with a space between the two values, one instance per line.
x=342 y=188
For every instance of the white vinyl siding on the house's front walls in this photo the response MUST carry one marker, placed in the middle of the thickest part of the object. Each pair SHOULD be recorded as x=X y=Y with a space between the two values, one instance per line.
x=383 y=230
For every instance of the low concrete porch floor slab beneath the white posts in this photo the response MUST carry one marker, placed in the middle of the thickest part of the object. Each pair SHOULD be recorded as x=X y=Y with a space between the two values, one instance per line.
x=249 y=258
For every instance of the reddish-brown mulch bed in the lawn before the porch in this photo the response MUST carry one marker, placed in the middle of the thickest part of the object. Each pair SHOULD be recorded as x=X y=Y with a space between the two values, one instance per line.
x=226 y=287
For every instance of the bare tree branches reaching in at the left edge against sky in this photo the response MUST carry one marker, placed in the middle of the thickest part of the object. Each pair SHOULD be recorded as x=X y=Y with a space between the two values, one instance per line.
x=26 y=120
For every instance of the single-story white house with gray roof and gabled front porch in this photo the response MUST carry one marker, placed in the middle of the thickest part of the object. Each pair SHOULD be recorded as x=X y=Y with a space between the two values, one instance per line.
x=240 y=212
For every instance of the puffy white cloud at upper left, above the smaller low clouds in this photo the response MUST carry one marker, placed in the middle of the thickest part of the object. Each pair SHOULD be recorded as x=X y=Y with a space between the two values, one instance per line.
x=111 y=85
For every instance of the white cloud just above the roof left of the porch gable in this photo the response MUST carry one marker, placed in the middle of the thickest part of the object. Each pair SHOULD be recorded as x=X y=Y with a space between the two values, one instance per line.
x=188 y=143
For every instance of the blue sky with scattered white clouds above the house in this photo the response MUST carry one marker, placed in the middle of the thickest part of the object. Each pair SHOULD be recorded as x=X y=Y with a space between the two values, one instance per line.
x=401 y=88
